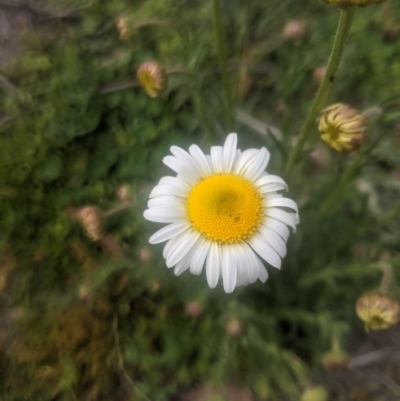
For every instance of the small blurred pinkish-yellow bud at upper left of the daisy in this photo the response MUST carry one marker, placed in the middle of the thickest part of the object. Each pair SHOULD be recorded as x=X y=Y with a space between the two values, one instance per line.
x=152 y=78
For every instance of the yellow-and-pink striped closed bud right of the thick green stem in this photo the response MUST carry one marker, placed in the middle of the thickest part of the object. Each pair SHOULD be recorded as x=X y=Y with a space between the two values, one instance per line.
x=342 y=127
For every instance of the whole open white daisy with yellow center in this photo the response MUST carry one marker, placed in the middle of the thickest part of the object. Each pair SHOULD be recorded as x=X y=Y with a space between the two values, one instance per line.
x=223 y=211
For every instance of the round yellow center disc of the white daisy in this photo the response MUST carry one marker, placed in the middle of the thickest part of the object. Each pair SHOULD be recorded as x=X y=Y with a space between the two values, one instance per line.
x=225 y=208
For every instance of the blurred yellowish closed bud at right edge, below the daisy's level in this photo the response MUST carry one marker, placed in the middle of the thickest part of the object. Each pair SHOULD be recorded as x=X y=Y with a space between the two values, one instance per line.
x=378 y=311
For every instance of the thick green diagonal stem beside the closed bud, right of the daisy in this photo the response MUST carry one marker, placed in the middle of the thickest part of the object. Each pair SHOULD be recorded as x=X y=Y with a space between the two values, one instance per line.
x=345 y=20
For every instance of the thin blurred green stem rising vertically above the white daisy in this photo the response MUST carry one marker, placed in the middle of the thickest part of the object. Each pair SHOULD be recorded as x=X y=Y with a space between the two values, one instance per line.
x=219 y=38
